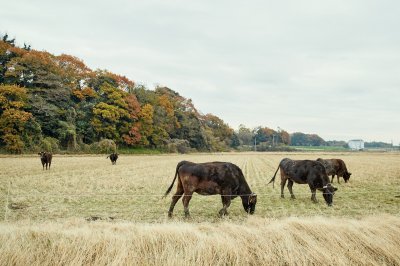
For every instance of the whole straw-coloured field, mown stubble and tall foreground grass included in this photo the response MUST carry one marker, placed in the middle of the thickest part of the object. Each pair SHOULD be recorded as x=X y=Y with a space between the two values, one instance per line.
x=51 y=213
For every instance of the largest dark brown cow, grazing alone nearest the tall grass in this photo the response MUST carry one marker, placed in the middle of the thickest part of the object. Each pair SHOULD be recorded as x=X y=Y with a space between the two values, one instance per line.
x=211 y=178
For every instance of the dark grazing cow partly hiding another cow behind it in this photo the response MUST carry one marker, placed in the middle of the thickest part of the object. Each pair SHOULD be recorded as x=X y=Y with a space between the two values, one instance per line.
x=305 y=172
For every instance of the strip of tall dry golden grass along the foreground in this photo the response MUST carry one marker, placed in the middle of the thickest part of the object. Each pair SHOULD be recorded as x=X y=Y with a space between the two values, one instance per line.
x=287 y=241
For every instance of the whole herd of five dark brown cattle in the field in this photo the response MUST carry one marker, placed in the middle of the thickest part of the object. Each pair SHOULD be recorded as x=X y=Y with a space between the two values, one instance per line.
x=227 y=179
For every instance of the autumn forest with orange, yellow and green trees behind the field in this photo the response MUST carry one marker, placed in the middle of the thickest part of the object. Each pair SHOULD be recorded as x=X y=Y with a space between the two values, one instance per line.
x=53 y=103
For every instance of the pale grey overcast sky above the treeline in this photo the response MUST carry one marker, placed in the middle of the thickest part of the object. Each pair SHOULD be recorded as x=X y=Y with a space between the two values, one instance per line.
x=325 y=67
